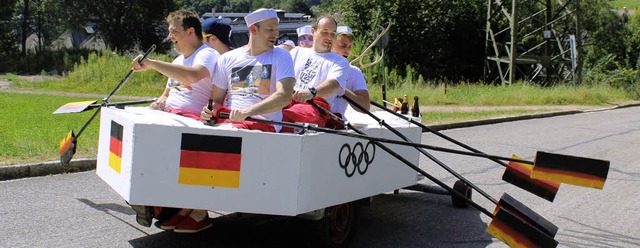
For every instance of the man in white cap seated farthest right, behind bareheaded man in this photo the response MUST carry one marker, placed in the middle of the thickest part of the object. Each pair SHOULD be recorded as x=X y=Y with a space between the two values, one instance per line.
x=356 y=86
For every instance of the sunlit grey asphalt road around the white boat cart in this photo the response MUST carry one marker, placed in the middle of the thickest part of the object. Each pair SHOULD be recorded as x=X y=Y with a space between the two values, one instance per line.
x=79 y=210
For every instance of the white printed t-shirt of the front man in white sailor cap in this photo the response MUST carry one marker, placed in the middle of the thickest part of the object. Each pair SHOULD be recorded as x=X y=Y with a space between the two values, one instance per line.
x=250 y=79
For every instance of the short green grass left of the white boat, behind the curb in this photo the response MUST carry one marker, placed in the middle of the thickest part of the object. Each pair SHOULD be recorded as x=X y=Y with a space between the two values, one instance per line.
x=30 y=133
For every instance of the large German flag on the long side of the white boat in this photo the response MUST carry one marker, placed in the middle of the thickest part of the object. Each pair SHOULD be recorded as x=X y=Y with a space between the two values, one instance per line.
x=209 y=160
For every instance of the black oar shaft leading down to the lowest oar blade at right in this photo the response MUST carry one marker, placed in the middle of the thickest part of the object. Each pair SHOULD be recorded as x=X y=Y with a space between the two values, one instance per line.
x=405 y=161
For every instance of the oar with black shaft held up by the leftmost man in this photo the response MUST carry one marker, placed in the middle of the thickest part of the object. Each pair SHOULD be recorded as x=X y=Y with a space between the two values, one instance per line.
x=69 y=143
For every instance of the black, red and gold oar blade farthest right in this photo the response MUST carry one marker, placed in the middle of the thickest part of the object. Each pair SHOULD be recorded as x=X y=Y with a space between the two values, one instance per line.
x=579 y=171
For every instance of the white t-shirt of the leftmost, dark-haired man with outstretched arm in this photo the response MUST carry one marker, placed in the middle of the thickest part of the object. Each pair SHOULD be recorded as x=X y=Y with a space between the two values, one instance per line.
x=192 y=101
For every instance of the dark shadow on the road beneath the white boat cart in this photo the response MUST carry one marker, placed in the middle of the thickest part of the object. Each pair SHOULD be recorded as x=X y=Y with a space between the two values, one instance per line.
x=407 y=219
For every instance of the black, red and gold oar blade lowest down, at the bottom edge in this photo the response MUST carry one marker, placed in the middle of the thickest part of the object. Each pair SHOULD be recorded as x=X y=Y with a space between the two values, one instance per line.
x=518 y=226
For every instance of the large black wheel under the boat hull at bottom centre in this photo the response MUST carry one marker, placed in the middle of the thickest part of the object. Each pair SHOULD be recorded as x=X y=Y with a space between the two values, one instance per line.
x=338 y=227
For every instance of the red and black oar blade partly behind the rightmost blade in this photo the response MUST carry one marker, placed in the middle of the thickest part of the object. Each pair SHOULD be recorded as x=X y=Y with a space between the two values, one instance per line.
x=519 y=174
